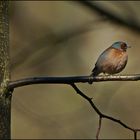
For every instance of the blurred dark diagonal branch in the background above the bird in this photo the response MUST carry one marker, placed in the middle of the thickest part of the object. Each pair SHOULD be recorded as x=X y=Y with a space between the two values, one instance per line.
x=113 y=17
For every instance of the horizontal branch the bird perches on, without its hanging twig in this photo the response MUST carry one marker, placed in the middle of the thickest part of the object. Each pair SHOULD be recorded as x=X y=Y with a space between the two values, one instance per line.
x=72 y=79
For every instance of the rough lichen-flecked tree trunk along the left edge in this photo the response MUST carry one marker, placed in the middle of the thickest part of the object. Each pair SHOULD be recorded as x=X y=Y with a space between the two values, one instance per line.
x=5 y=96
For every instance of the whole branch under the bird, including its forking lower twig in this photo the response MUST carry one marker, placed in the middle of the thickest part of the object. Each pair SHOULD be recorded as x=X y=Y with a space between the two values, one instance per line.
x=76 y=79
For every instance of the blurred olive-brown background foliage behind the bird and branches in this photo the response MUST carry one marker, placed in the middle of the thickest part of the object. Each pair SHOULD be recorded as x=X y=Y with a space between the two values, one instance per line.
x=65 y=39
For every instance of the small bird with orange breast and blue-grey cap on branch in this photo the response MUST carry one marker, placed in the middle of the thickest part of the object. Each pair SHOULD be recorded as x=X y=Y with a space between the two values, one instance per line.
x=112 y=60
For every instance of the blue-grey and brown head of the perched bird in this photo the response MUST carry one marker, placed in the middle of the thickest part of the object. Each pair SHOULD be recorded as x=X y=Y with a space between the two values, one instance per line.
x=120 y=45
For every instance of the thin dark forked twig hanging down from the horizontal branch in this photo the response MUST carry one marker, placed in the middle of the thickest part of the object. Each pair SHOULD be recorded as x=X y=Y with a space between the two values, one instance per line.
x=101 y=115
